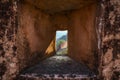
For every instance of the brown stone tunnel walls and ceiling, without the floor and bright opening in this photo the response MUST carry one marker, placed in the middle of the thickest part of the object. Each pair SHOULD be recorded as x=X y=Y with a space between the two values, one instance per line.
x=28 y=31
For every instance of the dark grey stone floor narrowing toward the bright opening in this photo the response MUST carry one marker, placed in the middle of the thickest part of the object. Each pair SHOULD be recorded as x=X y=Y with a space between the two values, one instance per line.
x=58 y=68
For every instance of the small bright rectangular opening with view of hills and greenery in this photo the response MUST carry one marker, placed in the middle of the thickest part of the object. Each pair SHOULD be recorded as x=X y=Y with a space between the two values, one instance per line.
x=61 y=42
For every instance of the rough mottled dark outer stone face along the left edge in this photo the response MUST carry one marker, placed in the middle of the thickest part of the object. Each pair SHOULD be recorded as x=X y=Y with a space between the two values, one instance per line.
x=8 y=30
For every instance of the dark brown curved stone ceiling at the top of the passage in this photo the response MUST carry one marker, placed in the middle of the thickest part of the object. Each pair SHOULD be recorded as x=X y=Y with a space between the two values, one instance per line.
x=52 y=6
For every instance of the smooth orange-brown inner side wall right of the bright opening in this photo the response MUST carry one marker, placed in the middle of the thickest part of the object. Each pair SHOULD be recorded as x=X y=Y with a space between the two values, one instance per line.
x=82 y=41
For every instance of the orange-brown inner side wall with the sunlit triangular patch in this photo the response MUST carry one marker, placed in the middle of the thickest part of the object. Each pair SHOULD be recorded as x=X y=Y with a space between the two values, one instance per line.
x=35 y=38
